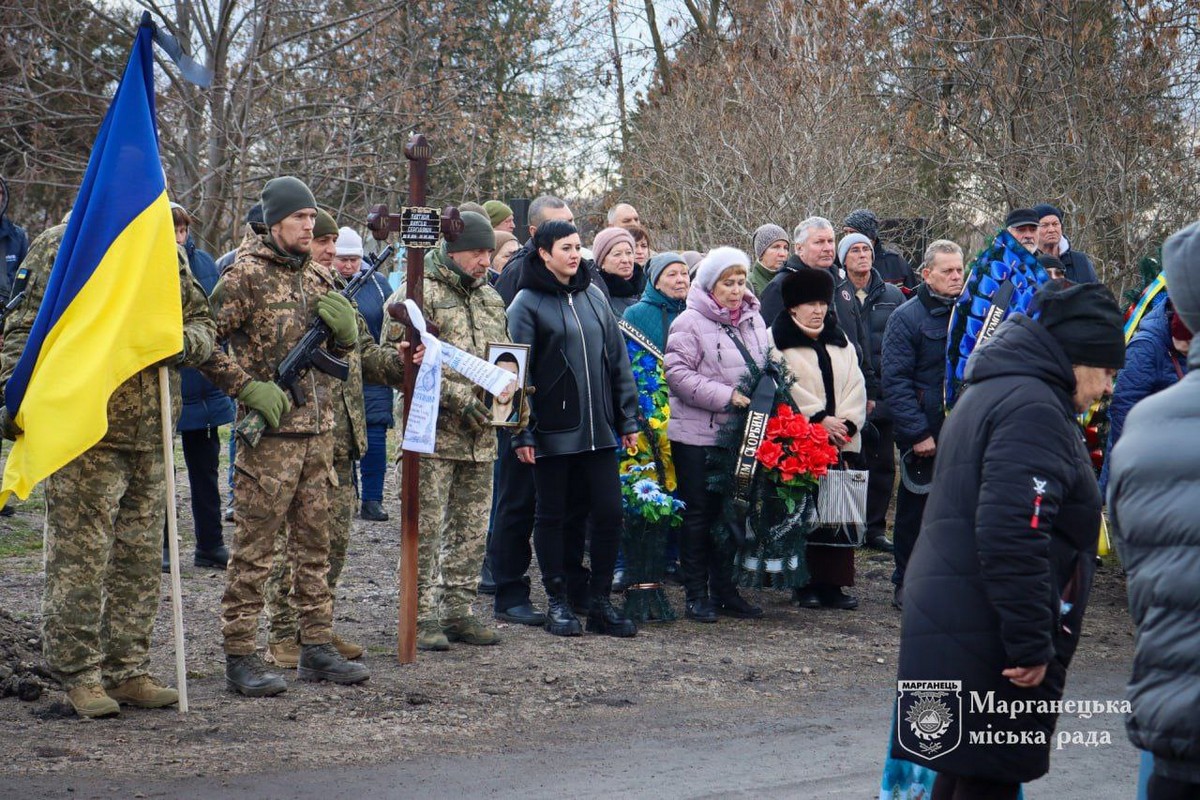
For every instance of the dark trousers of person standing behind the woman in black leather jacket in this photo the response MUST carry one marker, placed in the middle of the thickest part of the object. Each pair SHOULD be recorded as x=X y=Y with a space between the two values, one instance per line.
x=509 y=552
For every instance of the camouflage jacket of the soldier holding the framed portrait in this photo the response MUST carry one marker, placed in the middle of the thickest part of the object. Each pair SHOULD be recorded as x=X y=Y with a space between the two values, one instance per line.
x=467 y=318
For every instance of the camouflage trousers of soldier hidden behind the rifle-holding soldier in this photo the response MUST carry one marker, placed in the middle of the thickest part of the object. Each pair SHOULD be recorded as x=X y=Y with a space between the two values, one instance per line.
x=281 y=618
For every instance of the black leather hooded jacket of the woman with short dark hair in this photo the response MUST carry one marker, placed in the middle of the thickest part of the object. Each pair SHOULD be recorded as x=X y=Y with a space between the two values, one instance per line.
x=586 y=396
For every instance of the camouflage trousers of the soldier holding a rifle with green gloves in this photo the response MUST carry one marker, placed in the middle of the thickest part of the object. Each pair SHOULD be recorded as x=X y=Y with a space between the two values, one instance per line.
x=285 y=480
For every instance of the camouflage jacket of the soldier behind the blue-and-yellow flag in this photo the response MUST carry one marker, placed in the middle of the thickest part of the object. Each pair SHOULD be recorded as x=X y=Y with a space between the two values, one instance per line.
x=134 y=410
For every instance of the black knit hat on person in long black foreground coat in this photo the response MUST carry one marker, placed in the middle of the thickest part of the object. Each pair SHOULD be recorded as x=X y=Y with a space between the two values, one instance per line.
x=1087 y=322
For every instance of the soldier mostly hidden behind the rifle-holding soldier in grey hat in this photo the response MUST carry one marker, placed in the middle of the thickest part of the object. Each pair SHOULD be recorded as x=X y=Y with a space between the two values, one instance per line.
x=350 y=444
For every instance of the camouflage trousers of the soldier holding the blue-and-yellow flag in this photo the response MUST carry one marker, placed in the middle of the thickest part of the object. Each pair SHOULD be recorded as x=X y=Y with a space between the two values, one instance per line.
x=104 y=545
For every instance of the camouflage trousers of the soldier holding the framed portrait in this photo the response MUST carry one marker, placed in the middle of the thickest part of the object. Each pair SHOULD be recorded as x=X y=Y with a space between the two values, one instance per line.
x=457 y=500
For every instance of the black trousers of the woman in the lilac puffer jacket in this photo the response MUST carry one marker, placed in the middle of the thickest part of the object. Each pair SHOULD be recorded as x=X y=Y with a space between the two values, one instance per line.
x=705 y=566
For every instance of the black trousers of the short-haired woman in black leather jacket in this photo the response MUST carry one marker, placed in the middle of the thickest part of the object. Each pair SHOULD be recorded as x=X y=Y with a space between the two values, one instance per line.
x=574 y=491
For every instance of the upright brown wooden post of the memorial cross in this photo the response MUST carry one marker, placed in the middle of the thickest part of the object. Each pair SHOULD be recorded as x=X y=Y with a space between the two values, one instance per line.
x=418 y=154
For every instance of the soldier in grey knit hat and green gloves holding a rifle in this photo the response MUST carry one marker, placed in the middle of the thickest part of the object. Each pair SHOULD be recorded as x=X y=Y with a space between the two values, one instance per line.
x=263 y=305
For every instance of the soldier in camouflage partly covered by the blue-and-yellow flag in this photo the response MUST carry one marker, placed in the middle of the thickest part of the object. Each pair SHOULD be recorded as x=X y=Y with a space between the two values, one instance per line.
x=105 y=514
